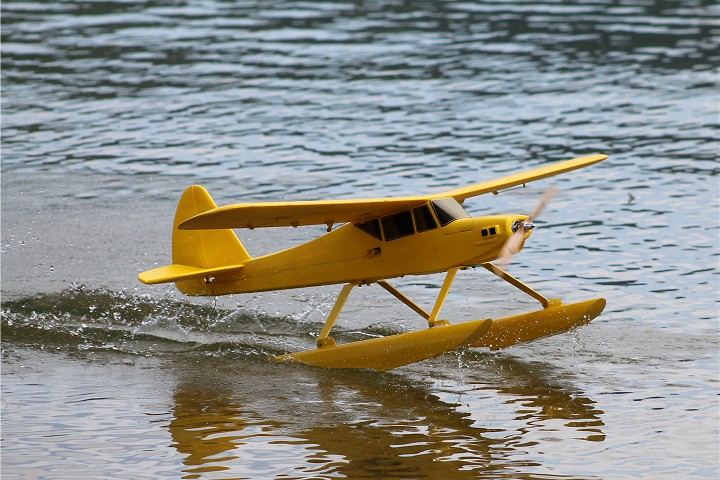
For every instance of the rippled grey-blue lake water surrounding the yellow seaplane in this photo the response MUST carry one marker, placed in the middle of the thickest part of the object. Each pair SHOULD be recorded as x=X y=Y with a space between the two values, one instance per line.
x=111 y=109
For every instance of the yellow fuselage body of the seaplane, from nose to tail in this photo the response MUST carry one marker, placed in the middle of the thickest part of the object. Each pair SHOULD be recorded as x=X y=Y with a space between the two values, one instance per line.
x=349 y=254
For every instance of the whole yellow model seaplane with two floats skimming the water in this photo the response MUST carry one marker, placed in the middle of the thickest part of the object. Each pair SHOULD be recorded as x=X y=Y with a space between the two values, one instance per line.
x=379 y=239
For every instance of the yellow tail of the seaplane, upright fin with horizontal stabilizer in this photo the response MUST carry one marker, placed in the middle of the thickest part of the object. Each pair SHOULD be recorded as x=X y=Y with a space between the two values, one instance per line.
x=197 y=254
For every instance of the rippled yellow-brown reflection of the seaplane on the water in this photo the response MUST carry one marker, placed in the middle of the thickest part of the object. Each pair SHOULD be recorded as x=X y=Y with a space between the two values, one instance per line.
x=353 y=423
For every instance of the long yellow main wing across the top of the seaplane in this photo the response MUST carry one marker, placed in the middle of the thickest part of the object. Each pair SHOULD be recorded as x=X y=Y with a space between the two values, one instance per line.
x=329 y=212
